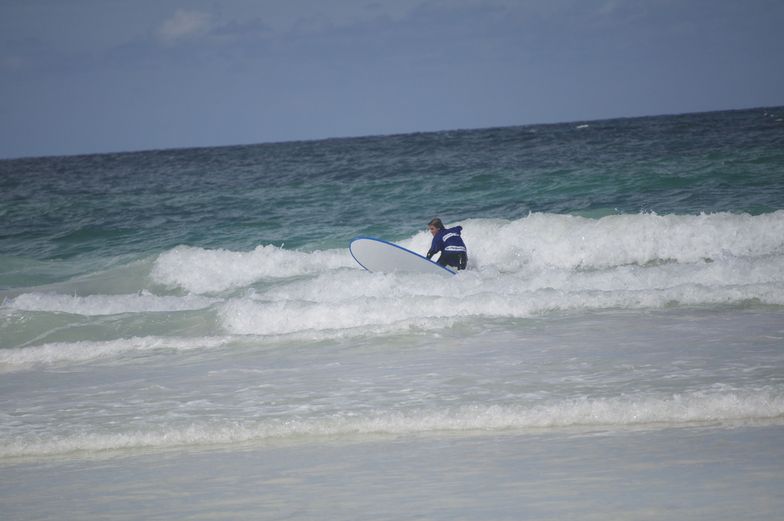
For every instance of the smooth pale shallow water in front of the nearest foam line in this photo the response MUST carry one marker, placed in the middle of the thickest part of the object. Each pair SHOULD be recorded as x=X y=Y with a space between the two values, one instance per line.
x=663 y=474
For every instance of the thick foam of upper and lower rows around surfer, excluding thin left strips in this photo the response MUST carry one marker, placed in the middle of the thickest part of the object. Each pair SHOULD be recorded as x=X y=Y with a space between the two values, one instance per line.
x=531 y=266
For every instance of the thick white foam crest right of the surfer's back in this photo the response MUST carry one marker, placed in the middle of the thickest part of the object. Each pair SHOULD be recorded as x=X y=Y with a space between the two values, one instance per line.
x=570 y=242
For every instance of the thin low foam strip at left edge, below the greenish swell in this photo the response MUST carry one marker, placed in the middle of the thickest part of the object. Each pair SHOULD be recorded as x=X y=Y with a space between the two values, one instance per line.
x=24 y=357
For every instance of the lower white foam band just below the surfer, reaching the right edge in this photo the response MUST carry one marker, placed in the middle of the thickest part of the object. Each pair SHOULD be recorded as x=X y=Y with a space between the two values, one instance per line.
x=371 y=315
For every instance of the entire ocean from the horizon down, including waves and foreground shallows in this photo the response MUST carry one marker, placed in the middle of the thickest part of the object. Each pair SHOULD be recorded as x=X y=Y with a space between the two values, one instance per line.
x=184 y=334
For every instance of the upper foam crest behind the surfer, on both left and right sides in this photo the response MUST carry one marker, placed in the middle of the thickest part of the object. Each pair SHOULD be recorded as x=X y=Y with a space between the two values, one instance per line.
x=538 y=241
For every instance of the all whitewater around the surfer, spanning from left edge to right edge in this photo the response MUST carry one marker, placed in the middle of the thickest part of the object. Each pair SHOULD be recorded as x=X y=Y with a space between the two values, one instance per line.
x=555 y=264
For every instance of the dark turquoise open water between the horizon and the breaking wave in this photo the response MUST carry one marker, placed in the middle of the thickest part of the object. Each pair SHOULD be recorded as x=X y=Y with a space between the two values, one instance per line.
x=320 y=194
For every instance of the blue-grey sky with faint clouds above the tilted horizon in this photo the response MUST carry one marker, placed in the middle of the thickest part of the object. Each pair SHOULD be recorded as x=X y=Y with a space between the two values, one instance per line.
x=94 y=76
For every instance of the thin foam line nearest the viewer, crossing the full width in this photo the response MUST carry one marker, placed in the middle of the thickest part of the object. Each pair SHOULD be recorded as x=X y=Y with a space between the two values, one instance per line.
x=681 y=410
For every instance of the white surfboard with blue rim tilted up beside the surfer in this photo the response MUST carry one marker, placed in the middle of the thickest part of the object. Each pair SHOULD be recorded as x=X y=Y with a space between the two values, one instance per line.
x=386 y=257
